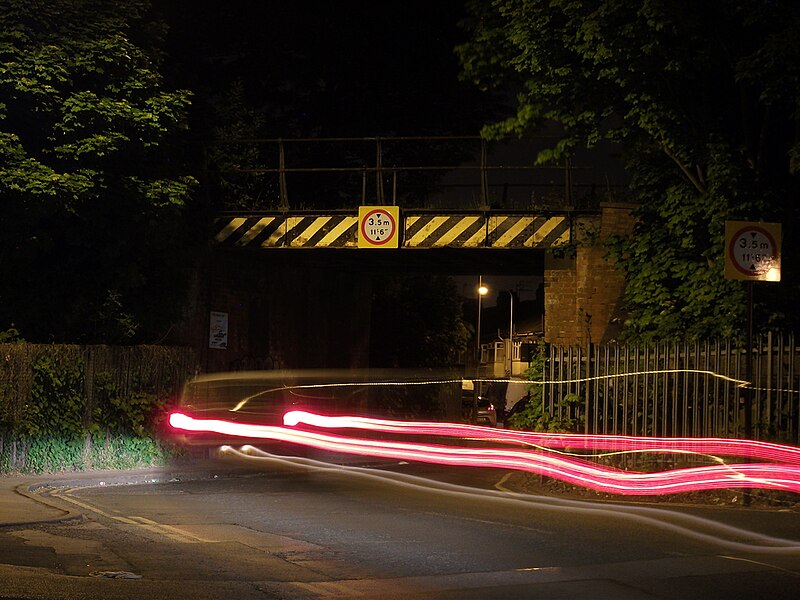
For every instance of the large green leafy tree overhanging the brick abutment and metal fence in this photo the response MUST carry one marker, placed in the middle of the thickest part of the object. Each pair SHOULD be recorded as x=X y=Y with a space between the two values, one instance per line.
x=704 y=99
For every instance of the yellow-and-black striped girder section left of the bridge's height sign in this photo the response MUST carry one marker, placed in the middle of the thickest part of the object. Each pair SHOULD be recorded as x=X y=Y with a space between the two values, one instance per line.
x=279 y=231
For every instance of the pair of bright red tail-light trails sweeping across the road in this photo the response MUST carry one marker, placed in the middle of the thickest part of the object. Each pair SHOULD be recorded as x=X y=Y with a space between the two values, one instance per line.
x=784 y=475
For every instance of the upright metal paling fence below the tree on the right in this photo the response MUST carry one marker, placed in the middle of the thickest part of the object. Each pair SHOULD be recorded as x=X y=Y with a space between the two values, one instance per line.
x=677 y=389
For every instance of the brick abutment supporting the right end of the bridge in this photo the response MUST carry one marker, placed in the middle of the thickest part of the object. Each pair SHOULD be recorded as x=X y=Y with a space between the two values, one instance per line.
x=583 y=289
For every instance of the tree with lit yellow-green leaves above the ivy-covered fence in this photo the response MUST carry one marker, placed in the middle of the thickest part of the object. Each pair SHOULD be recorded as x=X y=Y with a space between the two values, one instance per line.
x=92 y=192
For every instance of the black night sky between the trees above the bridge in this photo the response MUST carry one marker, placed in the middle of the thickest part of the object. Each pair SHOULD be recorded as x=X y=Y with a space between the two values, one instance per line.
x=350 y=68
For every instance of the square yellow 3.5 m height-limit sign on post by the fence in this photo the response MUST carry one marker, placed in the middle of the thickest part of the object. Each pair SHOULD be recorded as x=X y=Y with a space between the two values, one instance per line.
x=752 y=251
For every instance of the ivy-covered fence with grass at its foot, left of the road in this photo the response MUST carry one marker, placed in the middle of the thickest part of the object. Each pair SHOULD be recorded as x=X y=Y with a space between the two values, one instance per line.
x=68 y=407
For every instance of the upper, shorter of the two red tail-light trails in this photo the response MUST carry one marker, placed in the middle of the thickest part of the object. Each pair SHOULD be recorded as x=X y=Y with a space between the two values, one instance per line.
x=752 y=449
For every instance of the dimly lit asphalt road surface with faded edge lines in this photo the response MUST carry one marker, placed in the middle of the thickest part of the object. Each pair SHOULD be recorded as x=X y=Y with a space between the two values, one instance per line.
x=283 y=531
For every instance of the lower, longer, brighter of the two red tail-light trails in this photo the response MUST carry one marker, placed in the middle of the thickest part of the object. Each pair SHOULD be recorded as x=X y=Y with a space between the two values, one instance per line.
x=579 y=472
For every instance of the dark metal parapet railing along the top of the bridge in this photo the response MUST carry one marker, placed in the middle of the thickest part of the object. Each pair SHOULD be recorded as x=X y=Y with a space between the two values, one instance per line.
x=448 y=172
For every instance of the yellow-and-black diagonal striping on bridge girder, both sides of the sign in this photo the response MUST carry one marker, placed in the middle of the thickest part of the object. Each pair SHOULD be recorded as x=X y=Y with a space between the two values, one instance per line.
x=418 y=231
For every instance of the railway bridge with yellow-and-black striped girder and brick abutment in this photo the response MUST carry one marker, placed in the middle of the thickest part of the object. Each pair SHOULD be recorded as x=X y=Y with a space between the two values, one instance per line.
x=558 y=239
